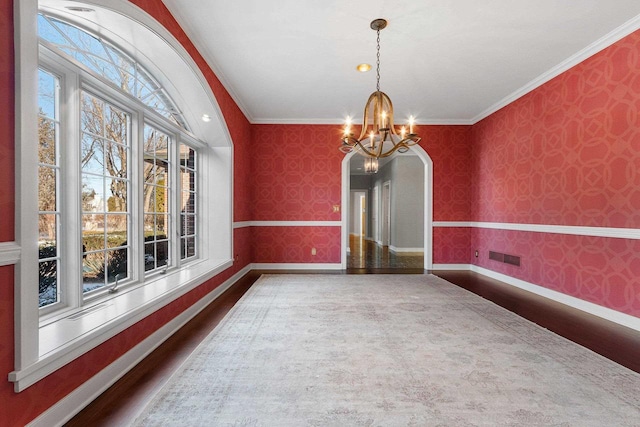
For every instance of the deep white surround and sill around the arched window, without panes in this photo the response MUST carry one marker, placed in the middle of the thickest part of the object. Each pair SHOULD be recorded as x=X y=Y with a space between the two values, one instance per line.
x=43 y=347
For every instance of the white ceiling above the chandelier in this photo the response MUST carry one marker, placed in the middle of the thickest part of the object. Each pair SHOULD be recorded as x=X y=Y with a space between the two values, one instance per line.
x=443 y=61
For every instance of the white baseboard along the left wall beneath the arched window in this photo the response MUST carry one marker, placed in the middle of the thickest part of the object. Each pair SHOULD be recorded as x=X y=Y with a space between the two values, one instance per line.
x=63 y=410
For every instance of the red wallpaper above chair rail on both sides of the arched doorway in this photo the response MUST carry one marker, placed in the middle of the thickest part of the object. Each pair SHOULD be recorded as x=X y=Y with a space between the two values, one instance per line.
x=292 y=184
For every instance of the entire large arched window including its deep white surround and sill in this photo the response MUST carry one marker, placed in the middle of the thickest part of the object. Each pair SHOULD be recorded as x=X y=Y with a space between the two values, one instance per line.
x=115 y=220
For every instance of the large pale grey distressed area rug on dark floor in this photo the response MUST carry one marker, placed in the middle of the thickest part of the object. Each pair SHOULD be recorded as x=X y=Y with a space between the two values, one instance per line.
x=388 y=350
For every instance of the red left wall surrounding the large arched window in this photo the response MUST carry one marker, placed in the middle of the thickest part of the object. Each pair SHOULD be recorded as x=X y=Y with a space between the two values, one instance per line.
x=18 y=409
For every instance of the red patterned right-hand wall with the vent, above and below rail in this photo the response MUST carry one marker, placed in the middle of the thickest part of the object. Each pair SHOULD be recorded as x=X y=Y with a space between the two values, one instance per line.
x=567 y=153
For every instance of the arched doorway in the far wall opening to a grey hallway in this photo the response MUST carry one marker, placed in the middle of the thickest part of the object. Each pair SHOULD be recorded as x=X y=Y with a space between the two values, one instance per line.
x=387 y=244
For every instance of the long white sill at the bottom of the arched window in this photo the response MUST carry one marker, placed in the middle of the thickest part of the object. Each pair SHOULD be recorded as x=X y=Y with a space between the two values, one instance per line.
x=69 y=337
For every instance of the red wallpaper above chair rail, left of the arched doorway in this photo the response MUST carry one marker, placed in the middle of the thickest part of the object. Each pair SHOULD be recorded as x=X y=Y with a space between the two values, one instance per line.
x=296 y=172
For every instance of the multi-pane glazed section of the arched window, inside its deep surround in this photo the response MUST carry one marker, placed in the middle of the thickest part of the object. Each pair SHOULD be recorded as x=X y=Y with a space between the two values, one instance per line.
x=135 y=193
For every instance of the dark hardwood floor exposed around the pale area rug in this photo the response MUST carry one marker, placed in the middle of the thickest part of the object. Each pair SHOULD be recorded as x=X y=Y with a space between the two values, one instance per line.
x=121 y=403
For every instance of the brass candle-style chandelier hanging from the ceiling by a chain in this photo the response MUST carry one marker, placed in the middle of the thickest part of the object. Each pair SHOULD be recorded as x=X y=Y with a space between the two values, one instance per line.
x=379 y=137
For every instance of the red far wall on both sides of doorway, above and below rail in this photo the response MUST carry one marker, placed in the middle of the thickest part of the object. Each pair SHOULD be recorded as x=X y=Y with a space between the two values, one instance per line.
x=297 y=176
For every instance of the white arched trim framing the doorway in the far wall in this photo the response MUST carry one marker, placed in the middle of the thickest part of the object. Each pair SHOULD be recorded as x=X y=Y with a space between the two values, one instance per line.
x=428 y=206
